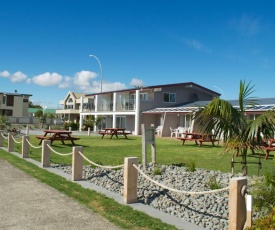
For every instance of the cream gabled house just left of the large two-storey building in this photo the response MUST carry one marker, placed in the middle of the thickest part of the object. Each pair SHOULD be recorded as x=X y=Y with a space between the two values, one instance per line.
x=71 y=106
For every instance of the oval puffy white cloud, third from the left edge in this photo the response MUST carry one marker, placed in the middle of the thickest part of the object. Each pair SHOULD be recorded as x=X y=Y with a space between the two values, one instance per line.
x=47 y=79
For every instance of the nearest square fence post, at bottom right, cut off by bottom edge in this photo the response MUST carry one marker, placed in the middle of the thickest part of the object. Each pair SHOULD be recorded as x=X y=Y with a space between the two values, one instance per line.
x=237 y=205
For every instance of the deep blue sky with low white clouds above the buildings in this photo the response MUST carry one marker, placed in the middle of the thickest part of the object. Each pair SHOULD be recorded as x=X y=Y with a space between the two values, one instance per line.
x=45 y=46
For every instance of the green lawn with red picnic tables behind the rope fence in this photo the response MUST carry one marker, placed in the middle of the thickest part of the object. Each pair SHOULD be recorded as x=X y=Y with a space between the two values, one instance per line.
x=169 y=151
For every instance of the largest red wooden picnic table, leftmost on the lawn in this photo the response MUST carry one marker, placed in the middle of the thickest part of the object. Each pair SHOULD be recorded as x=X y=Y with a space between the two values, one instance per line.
x=54 y=135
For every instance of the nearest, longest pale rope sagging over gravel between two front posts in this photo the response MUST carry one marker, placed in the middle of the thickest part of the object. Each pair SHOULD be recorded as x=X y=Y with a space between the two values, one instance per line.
x=176 y=190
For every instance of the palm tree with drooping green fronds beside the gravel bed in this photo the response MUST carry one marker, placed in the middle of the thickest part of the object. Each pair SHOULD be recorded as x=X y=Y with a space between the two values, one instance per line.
x=230 y=123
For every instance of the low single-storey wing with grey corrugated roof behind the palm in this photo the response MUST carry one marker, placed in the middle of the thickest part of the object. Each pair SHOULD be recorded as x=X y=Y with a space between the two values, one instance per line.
x=181 y=115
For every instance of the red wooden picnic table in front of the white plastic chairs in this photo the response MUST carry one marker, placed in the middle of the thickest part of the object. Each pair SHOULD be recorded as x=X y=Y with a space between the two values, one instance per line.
x=199 y=138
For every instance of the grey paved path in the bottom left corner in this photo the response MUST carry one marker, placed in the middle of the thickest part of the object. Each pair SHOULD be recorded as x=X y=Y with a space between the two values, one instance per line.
x=29 y=204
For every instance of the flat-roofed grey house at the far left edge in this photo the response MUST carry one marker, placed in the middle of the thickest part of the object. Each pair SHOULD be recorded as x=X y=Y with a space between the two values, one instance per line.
x=14 y=104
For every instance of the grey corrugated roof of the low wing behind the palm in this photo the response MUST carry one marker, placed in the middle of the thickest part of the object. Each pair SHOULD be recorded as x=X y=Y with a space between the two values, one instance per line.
x=261 y=104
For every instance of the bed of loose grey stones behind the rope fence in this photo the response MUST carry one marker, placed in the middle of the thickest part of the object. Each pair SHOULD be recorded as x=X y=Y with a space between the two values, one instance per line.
x=207 y=210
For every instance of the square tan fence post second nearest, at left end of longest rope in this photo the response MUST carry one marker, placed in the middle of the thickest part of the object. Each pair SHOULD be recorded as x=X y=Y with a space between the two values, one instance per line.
x=130 y=180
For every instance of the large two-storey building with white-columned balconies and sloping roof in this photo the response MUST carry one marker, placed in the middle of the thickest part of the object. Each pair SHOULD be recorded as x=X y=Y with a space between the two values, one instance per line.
x=126 y=108
